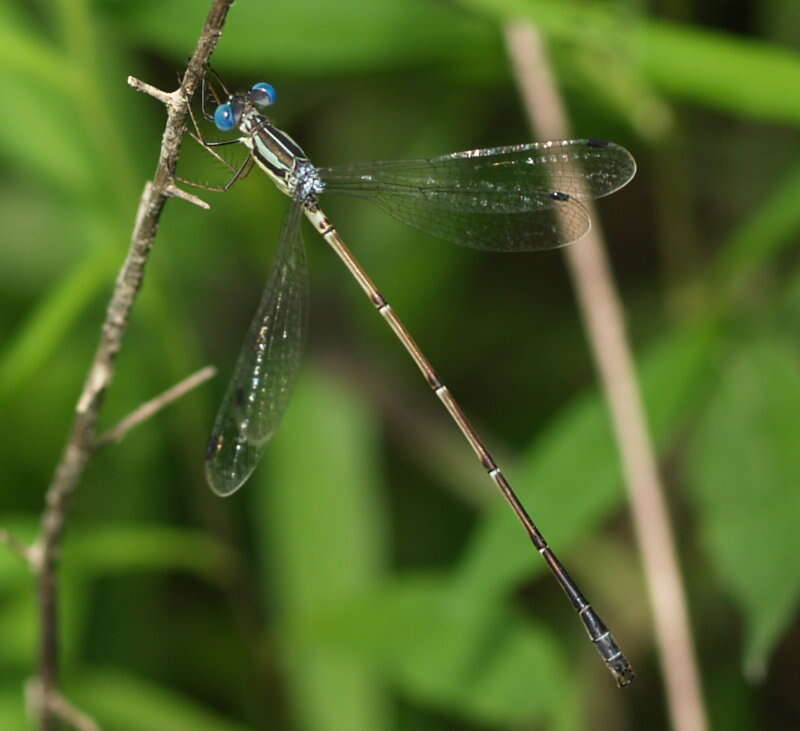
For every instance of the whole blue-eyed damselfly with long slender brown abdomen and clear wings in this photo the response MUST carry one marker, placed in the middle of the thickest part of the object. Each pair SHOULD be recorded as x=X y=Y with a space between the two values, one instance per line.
x=518 y=198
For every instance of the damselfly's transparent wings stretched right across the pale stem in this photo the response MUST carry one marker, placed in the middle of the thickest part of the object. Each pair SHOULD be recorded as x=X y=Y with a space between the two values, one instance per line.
x=516 y=198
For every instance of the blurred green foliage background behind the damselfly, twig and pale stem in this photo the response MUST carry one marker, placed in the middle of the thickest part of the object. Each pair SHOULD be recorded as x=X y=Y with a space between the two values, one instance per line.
x=368 y=578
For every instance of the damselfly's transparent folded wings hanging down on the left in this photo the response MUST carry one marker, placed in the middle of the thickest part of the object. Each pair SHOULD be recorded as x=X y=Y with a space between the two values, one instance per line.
x=266 y=370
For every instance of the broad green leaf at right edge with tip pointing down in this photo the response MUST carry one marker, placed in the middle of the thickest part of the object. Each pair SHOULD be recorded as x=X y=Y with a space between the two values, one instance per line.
x=744 y=469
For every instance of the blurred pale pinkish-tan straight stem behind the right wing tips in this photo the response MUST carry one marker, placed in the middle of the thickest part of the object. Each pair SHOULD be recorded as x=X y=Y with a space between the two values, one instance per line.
x=603 y=317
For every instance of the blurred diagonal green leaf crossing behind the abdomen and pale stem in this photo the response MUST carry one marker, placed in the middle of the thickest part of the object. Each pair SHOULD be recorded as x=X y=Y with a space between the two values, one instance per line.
x=672 y=373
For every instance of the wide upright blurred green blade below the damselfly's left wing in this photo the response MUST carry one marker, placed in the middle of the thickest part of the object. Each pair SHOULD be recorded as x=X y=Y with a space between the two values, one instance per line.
x=324 y=537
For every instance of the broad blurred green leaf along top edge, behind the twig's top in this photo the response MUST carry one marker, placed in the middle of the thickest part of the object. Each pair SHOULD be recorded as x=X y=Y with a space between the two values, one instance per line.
x=307 y=36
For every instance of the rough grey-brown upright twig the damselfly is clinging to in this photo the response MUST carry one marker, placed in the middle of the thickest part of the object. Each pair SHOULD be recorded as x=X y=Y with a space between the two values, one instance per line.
x=81 y=443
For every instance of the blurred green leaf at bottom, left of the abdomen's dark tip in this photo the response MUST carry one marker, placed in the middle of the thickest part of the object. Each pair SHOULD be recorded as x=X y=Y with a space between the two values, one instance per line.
x=496 y=669
